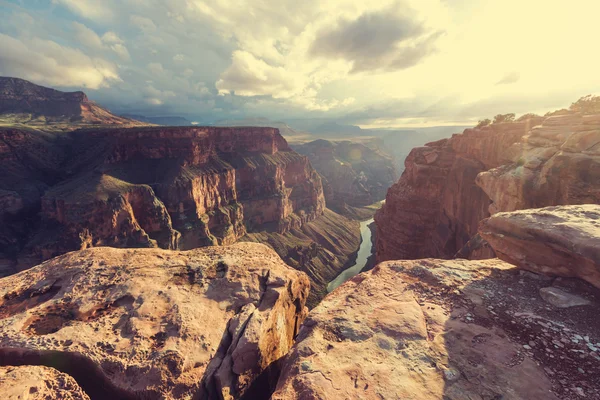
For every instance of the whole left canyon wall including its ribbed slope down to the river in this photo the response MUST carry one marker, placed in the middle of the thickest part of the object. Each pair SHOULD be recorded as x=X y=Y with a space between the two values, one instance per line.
x=170 y=188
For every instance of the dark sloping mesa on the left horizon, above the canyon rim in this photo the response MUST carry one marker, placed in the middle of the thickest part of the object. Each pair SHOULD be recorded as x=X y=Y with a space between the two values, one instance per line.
x=25 y=102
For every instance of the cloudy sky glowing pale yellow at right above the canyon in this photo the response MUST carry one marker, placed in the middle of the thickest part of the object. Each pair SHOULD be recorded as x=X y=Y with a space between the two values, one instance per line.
x=388 y=63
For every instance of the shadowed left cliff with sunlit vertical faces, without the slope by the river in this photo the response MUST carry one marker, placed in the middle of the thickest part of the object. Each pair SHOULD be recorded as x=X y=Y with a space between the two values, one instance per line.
x=174 y=188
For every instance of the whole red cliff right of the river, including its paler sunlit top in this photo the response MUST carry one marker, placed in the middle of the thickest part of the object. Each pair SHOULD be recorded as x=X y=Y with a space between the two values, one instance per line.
x=448 y=186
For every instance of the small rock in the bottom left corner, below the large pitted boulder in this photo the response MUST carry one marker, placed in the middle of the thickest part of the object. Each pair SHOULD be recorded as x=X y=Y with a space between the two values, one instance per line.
x=38 y=383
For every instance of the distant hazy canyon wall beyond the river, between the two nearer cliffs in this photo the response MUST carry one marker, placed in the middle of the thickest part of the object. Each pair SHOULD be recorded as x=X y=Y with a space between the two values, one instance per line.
x=353 y=174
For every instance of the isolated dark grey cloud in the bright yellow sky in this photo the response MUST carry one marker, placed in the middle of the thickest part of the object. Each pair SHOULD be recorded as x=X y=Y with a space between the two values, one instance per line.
x=383 y=40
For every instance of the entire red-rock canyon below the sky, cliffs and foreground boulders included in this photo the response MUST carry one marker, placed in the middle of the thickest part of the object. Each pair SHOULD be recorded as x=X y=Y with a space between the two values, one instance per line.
x=146 y=262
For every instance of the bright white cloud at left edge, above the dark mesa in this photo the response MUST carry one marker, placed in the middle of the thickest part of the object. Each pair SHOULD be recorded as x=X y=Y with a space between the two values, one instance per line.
x=47 y=62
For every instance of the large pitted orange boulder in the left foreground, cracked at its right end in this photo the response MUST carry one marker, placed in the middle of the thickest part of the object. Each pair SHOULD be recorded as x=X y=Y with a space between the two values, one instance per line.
x=152 y=323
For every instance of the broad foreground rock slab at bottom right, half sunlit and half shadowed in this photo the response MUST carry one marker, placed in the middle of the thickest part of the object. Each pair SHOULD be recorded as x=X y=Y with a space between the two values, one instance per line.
x=453 y=330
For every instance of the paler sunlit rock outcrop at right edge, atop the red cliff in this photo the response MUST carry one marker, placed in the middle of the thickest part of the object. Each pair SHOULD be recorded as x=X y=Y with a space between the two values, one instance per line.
x=556 y=163
